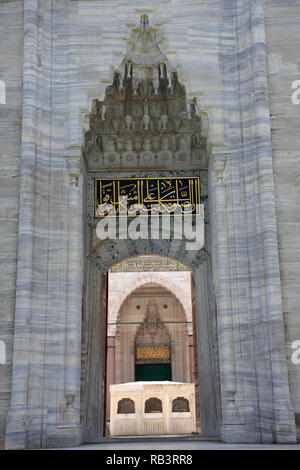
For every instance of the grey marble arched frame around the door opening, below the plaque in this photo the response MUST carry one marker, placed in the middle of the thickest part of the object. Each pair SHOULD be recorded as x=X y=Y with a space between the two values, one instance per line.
x=99 y=260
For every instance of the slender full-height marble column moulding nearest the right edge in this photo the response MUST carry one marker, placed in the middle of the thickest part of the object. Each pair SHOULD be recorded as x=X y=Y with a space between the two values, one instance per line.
x=283 y=429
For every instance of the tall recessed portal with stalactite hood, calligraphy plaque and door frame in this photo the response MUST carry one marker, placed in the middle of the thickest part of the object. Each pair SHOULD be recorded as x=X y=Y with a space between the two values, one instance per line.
x=146 y=143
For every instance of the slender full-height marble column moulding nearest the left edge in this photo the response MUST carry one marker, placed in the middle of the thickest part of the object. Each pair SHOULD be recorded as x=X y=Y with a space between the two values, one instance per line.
x=19 y=413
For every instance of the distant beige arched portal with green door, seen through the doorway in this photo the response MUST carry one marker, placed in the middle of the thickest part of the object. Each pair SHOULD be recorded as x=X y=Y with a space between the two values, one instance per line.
x=152 y=329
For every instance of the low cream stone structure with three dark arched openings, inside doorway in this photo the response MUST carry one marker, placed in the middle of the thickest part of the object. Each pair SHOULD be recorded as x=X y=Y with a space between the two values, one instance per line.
x=152 y=408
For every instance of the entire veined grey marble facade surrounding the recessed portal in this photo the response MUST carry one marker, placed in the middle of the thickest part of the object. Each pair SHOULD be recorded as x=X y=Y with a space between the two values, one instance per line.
x=69 y=47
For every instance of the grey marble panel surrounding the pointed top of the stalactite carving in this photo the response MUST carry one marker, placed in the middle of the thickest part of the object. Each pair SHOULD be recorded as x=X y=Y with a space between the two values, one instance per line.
x=99 y=33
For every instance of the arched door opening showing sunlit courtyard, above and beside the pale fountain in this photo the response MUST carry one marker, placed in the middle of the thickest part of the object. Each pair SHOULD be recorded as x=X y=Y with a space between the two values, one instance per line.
x=150 y=331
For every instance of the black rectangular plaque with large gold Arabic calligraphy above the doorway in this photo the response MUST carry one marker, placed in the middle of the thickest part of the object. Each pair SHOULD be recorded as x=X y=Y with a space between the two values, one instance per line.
x=144 y=196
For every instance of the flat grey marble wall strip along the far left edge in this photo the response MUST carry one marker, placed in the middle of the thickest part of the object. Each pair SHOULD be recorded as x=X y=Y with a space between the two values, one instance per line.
x=11 y=61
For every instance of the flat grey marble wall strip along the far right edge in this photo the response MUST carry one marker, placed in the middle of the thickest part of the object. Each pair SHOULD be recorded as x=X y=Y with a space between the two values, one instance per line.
x=283 y=46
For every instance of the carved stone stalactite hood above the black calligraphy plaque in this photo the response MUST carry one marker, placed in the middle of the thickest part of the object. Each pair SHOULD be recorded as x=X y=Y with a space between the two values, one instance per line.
x=147 y=101
